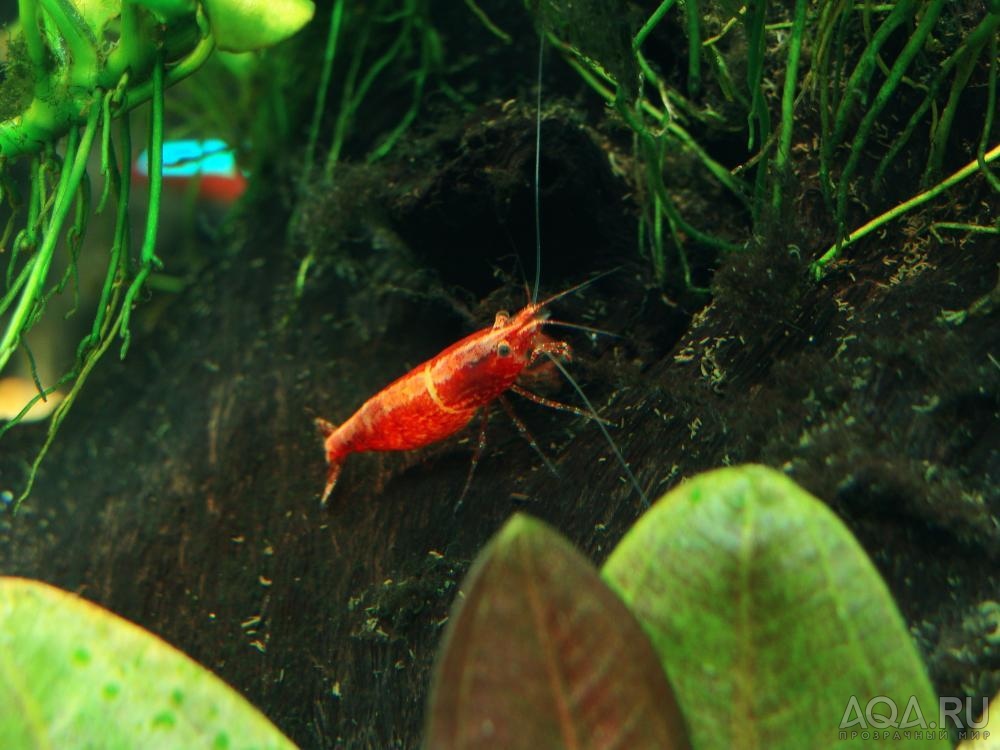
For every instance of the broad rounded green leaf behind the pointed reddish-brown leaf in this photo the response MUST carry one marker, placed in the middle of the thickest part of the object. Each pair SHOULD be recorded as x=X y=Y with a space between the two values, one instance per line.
x=768 y=616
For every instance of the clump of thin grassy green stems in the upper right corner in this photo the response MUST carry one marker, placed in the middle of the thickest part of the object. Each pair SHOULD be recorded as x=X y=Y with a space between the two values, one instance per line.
x=829 y=81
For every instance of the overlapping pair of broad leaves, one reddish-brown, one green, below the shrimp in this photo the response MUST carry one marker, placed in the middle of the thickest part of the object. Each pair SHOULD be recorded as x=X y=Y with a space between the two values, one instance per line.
x=765 y=615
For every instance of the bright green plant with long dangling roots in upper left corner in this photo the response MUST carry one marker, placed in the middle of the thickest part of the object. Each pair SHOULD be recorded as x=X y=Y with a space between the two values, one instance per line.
x=75 y=68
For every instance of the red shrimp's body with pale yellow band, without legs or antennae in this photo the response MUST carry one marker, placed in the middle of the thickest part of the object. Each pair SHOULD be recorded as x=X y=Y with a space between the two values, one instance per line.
x=439 y=397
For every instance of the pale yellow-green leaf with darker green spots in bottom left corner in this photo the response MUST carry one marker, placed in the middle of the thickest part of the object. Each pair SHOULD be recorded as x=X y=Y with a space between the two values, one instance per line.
x=73 y=675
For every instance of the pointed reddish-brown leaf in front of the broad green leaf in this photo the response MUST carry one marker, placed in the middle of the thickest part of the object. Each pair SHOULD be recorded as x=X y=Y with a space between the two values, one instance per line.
x=542 y=654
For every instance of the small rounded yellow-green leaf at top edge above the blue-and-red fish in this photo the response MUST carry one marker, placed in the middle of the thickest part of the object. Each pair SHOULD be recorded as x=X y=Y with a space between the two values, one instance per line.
x=245 y=25
